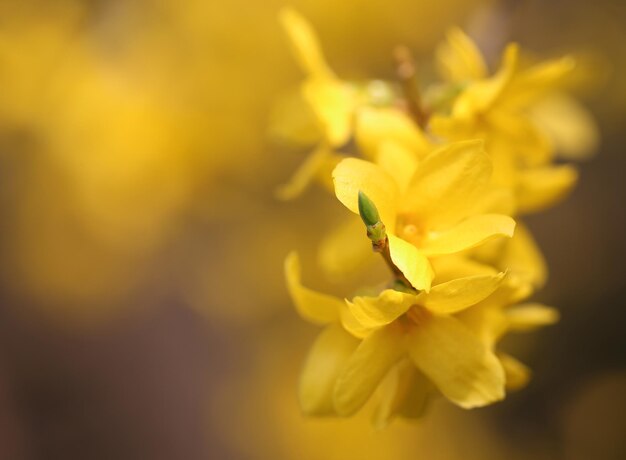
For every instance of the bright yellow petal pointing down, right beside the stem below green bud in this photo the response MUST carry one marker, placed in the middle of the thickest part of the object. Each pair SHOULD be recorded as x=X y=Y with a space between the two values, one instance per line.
x=411 y=262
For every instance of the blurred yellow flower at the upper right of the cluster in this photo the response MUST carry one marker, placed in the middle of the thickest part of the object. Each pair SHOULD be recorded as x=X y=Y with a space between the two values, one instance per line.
x=521 y=114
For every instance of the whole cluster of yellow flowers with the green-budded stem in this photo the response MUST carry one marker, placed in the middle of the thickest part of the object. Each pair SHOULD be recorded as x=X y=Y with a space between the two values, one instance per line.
x=439 y=177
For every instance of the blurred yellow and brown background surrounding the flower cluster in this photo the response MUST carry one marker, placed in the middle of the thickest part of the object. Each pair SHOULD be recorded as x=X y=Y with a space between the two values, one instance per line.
x=143 y=313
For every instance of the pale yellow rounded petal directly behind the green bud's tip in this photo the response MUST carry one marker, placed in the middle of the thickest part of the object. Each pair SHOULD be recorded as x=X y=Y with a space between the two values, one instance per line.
x=352 y=175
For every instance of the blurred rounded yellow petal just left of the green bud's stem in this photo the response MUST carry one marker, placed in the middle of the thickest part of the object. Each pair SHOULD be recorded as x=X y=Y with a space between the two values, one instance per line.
x=346 y=249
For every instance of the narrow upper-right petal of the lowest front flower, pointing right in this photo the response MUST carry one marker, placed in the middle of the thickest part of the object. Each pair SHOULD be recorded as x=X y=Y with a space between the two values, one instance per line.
x=456 y=295
